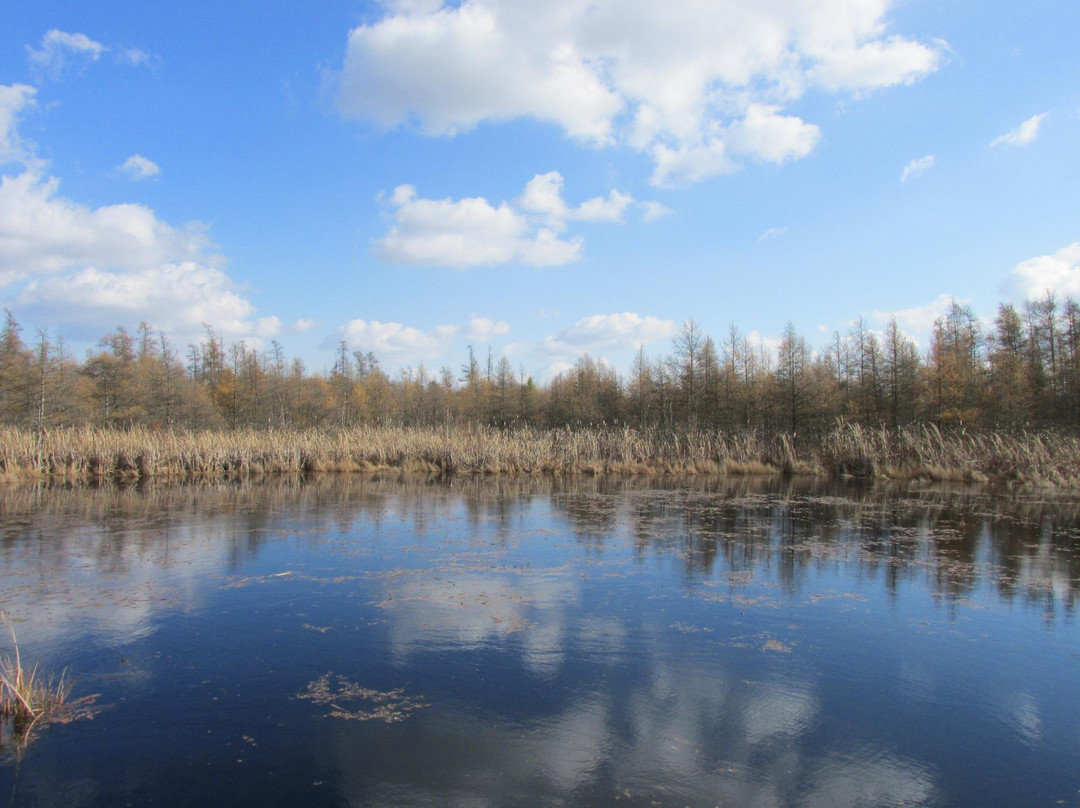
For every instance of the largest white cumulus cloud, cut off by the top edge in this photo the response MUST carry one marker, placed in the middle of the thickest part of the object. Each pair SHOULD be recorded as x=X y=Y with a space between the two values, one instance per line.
x=698 y=87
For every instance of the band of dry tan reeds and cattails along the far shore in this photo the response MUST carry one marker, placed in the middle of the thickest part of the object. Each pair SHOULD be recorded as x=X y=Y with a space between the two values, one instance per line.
x=92 y=455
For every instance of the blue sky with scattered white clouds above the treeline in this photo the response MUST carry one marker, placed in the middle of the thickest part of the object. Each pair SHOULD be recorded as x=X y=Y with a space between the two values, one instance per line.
x=537 y=181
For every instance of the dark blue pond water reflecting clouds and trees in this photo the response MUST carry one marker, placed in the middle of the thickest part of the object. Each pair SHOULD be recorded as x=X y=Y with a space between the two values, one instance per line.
x=533 y=642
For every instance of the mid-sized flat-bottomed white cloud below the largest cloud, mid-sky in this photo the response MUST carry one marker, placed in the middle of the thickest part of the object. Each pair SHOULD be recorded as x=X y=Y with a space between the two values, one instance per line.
x=472 y=232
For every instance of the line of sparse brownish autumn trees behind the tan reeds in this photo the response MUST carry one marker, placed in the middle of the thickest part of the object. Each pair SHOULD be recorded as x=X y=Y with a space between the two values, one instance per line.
x=1020 y=371
